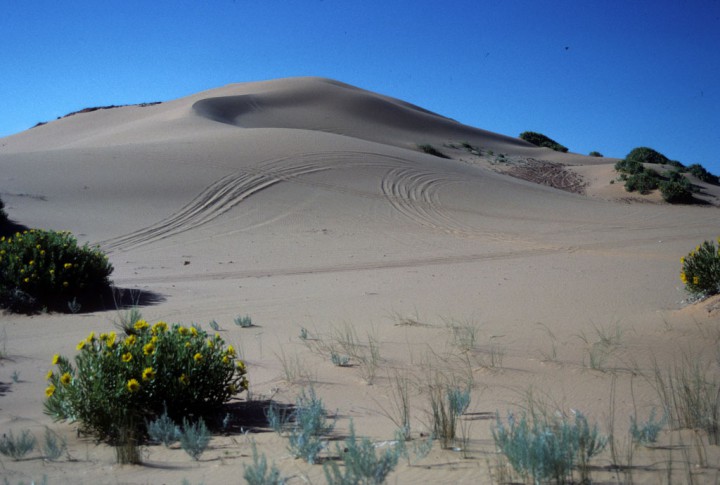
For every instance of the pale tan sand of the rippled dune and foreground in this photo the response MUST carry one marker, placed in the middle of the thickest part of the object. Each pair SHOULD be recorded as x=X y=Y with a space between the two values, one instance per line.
x=306 y=204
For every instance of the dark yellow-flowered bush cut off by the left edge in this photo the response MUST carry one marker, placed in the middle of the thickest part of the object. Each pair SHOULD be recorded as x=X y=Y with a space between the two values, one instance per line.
x=48 y=269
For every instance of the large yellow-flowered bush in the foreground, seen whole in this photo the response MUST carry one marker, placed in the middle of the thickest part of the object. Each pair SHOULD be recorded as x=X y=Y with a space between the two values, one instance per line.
x=118 y=381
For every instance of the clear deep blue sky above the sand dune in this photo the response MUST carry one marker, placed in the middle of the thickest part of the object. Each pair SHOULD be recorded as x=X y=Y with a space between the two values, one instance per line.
x=606 y=75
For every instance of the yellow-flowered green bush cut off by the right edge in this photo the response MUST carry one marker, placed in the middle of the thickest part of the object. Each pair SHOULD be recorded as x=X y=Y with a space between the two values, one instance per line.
x=701 y=270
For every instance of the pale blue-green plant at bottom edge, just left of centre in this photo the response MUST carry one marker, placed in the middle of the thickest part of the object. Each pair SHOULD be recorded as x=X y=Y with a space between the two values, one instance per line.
x=361 y=463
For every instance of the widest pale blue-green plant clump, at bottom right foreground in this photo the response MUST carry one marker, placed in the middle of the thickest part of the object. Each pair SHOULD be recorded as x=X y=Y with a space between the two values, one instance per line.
x=548 y=448
